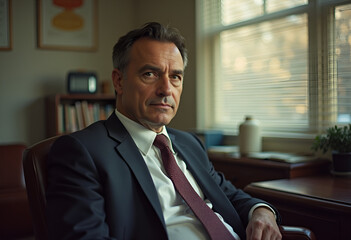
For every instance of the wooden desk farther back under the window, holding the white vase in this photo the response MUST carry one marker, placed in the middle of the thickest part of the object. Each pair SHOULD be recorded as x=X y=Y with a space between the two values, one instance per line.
x=242 y=171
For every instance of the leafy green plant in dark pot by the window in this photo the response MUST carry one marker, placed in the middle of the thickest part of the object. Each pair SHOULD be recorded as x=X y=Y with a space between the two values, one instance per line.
x=337 y=139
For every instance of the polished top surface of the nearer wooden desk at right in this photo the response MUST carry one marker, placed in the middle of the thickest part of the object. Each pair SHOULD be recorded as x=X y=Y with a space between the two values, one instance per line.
x=324 y=187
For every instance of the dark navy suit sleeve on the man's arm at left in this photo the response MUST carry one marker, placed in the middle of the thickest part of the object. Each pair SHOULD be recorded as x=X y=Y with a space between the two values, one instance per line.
x=75 y=205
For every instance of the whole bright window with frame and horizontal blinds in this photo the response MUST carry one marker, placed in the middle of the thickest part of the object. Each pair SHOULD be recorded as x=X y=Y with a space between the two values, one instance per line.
x=284 y=62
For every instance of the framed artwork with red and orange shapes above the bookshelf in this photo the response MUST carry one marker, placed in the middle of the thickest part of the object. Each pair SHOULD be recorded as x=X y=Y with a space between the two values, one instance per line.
x=67 y=25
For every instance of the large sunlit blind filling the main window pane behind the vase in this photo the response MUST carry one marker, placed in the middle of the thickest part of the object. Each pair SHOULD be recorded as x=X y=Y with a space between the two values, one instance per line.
x=264 y=73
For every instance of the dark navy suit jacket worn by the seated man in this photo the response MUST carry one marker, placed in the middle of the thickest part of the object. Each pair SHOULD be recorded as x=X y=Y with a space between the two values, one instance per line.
x=99 y=186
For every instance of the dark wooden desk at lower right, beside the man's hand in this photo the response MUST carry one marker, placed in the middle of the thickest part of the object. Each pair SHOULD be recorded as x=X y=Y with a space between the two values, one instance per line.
x=320 y=203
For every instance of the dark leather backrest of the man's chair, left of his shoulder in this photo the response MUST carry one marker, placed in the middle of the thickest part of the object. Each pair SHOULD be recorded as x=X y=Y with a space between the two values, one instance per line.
x=35 y=173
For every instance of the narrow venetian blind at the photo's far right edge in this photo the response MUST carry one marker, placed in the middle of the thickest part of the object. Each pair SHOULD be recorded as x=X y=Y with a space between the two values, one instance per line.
x=334 y=105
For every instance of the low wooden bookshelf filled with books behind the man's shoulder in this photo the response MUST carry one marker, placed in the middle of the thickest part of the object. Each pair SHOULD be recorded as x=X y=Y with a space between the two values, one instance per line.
x=66 y=113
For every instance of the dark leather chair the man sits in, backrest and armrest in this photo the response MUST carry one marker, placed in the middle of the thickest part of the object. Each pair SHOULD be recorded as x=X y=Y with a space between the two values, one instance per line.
x=35 y=175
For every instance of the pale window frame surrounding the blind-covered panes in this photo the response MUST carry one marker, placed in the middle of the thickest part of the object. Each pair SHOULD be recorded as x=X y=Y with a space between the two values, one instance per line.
x=320 y=29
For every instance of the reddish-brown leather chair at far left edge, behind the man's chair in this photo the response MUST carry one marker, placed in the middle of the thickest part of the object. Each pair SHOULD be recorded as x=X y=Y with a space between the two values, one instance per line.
x=15 y=218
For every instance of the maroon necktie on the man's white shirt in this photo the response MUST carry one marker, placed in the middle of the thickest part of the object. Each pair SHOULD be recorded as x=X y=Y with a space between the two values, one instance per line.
x=211 y=222
